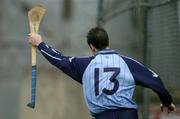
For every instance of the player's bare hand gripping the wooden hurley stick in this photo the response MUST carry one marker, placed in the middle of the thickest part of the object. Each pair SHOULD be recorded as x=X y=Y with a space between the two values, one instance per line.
x=35 y=39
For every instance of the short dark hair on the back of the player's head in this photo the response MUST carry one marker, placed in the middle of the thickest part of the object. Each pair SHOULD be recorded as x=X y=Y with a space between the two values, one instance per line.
x=98 y=37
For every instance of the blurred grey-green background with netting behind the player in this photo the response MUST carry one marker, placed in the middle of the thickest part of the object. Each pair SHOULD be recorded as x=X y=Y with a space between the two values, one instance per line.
x=146 y=30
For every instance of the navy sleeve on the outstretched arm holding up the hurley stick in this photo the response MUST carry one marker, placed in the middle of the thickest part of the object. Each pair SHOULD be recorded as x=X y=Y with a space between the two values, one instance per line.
x=72 y=66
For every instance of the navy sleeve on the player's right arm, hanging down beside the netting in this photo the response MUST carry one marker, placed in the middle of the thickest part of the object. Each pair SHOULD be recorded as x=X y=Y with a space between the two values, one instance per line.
x=147 y=78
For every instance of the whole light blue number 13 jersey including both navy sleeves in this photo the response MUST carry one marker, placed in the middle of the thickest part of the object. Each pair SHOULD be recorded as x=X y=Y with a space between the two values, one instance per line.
x=108 y=79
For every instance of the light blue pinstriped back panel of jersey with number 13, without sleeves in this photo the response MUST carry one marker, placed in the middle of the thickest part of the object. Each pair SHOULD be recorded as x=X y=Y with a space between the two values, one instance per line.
x=108 y=83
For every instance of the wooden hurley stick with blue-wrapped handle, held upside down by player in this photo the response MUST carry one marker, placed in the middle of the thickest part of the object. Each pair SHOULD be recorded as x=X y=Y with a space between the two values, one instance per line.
x=35 y=15
